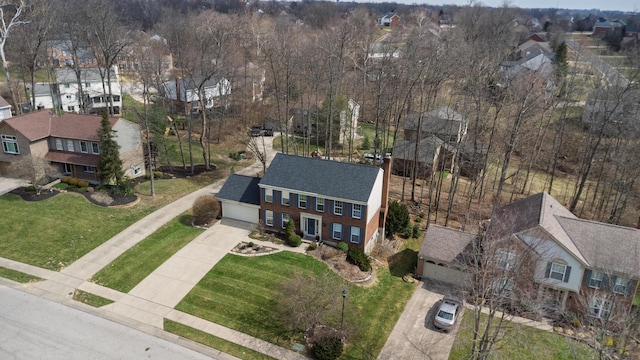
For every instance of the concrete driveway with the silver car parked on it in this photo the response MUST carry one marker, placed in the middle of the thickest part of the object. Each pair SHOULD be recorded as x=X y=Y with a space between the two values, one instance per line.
x=414 y=336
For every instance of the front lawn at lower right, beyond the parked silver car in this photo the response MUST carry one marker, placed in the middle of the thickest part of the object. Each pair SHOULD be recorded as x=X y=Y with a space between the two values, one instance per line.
x=521 y=342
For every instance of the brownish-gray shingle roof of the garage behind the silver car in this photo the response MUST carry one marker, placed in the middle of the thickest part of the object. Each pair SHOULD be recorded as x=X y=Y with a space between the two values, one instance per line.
x=446 y=245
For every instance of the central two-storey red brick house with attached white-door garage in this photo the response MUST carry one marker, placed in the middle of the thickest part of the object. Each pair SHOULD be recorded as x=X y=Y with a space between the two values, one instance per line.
x=329 y=201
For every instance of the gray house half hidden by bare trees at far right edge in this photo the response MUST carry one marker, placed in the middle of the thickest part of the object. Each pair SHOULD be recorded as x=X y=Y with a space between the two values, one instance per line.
x=616 y=108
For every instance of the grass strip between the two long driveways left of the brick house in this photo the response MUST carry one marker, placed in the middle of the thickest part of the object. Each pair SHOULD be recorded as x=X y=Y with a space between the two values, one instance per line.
x=129 y=269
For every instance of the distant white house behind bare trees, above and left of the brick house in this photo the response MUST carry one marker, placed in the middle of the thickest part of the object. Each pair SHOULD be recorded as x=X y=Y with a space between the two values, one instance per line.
x=184 y=93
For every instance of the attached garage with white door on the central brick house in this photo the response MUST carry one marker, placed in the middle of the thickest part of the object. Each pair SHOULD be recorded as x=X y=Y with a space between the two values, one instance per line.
x=240 y=198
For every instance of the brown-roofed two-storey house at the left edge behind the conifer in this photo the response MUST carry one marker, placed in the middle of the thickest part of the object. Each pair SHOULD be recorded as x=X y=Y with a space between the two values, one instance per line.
x=69 y=142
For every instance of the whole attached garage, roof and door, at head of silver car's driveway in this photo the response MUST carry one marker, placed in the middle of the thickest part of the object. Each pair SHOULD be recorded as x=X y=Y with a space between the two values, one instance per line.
x=443 y=253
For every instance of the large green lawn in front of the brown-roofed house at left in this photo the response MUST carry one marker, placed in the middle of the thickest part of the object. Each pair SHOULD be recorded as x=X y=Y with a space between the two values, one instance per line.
x=54 y=233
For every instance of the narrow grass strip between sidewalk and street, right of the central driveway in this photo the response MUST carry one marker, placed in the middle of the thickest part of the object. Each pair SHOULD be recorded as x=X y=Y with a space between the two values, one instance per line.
x=213 y=341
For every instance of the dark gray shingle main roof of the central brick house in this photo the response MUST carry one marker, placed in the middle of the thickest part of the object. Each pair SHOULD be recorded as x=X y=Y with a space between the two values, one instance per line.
x=328 y=178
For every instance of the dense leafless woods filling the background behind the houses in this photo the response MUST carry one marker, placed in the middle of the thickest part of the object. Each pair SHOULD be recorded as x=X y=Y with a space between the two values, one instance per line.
x=530 y=124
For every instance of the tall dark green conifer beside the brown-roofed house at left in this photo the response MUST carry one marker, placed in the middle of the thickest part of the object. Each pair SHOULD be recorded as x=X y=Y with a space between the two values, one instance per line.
x=110 y=165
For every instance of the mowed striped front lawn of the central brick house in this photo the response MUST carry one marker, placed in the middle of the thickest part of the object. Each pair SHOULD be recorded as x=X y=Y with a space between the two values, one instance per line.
x=239 y=293
